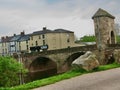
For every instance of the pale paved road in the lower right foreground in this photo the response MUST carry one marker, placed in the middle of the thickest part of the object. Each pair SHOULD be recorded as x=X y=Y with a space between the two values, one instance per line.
x=105 y=80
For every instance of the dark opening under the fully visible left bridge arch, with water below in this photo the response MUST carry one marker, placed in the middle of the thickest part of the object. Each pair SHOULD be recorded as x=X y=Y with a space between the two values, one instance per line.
x=42 y=67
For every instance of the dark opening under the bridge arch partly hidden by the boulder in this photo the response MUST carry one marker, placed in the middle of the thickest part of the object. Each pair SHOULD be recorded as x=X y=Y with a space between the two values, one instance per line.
x=70 y=59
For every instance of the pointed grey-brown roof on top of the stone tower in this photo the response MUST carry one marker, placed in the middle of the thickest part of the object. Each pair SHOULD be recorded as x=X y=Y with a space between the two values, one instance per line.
x=102 y=13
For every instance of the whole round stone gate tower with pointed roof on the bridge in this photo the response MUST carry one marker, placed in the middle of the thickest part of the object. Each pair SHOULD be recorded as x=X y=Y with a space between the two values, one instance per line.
x=104 y=28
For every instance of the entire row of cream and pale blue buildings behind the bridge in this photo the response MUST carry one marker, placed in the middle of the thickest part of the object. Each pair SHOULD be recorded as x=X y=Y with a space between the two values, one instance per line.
x=45 y=39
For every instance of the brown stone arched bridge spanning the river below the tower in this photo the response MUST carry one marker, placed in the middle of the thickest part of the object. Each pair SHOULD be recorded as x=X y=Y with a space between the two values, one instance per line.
x=61 y=57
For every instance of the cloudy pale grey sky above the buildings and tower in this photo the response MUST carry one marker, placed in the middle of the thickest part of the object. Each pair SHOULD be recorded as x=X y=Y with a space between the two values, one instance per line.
x=32 y=15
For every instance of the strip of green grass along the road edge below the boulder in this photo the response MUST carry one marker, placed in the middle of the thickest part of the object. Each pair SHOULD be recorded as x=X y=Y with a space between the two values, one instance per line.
x=60 y=77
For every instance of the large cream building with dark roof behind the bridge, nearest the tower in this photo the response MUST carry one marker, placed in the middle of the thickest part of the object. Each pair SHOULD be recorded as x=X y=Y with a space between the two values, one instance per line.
x=56 y=39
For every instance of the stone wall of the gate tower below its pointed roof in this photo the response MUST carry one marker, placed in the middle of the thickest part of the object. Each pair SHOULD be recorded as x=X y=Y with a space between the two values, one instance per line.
x=103 y=28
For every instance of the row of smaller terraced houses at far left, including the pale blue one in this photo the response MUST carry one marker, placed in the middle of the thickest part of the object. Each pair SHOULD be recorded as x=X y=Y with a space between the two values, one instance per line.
x=14 y=44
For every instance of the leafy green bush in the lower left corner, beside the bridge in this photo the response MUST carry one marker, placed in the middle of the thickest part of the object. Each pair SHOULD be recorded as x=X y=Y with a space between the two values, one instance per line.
x=9 y=71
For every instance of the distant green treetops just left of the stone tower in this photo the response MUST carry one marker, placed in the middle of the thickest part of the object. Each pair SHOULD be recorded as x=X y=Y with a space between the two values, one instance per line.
x=90 y=38
